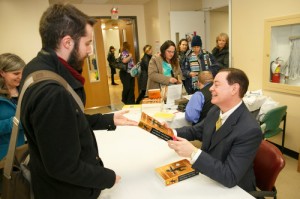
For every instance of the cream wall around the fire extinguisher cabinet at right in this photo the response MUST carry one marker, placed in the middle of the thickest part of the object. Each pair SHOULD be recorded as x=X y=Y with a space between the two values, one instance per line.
x=247 y=51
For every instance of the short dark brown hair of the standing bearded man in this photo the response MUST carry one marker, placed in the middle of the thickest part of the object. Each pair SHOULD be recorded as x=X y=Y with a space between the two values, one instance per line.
x=60 y=20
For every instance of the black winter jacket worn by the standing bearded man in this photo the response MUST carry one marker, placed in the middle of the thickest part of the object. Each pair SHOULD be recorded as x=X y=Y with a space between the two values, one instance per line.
x=64 y=160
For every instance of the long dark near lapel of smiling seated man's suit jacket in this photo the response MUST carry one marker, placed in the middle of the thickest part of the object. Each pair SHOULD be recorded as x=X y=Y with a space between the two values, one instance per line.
x=227 y=127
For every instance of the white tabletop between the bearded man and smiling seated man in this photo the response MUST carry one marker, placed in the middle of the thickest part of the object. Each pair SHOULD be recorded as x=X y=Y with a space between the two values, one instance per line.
x=134 y=154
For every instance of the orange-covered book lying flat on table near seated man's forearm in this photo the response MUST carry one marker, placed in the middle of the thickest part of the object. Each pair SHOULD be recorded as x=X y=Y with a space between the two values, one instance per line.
x=176 y=172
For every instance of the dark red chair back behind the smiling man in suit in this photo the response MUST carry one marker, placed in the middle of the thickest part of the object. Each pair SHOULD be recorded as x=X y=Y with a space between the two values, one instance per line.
x=268 y=163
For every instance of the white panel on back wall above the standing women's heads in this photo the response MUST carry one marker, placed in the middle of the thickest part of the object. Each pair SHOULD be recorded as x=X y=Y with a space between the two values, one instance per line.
x=186 y=23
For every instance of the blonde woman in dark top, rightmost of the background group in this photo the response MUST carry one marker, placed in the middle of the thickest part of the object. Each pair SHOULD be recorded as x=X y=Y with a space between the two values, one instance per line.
x=221 y=51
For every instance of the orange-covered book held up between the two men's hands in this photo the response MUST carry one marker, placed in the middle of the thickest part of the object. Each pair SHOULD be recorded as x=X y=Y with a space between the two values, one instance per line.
x=153 y=126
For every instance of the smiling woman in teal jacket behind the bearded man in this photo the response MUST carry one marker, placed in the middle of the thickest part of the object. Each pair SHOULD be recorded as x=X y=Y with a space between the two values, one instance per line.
x=11 y=67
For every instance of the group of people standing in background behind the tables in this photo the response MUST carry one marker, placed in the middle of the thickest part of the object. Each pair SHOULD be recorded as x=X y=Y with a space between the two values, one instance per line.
x=172 y=65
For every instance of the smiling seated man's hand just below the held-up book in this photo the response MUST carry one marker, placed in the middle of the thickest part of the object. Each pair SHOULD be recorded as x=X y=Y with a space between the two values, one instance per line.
x=182 y=147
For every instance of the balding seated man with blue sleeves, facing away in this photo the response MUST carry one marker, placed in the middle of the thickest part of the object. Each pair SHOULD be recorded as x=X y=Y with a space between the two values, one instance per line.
x=199 y=104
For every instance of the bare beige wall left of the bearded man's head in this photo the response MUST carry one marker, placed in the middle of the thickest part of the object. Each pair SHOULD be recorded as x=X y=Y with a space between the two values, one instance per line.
x=19 y=27
